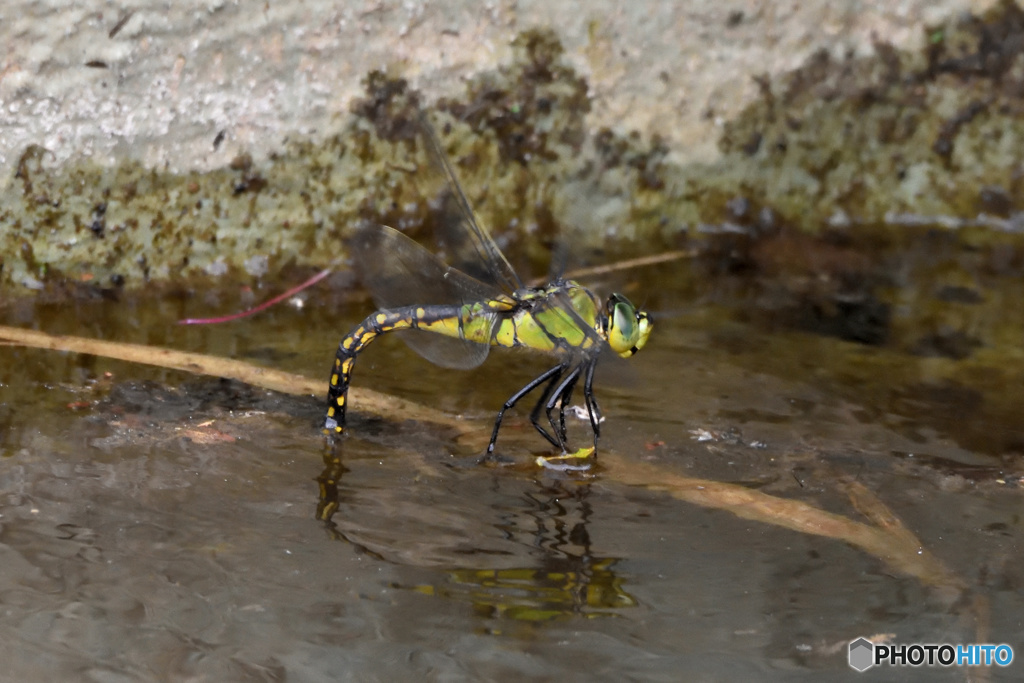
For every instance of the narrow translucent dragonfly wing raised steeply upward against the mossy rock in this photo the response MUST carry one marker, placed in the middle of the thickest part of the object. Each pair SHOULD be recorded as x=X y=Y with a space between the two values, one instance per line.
x=466 y=244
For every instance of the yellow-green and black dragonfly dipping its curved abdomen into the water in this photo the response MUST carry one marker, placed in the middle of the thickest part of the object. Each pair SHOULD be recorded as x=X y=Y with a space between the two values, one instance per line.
x=462 y=307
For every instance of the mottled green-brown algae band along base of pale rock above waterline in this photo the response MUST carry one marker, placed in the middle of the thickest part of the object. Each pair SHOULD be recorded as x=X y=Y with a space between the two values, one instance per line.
x=855 y=146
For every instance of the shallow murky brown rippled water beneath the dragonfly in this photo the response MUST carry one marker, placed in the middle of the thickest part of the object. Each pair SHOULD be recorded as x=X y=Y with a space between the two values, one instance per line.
x=157 y=527
